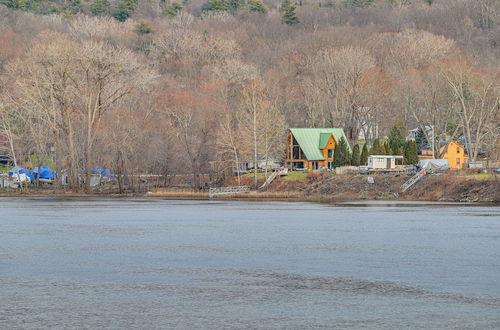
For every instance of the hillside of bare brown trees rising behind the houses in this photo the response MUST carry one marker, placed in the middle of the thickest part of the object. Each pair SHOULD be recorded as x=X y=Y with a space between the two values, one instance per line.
x=194 y=86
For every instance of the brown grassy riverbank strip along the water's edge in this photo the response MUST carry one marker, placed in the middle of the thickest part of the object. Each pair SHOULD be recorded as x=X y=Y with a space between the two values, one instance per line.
x=326 y=187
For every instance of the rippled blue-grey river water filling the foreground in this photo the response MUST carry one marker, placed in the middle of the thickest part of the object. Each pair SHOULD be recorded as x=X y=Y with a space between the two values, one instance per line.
x=164 y=264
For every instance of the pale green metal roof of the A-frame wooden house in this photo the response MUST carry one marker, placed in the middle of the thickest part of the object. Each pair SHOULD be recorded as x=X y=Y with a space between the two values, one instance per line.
x=312 y=140
